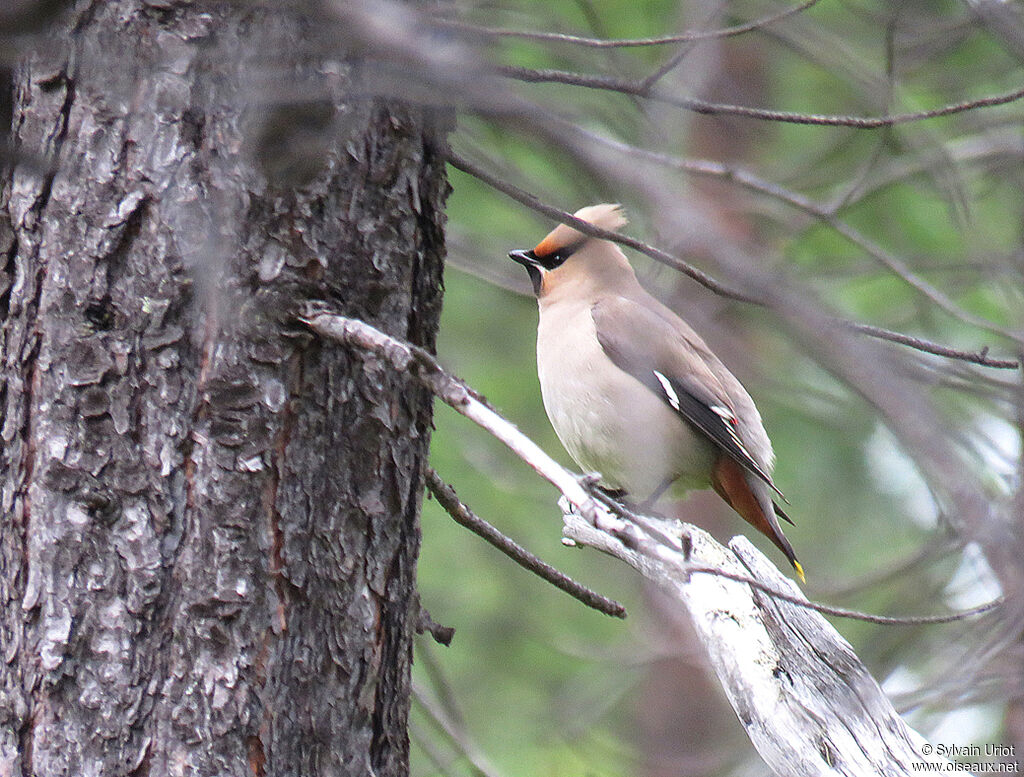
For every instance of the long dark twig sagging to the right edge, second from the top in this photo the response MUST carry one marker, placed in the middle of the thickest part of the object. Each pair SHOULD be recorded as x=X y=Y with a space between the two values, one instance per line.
x=637 y=90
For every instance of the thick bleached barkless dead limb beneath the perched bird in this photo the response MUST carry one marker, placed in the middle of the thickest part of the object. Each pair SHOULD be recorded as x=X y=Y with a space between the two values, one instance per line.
x=806 y=701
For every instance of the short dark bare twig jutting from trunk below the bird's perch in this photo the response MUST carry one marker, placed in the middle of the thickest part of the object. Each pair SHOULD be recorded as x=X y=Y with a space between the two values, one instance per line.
x=462 y=515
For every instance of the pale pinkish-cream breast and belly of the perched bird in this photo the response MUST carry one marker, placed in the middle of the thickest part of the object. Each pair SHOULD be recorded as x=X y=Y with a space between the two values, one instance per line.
x=609 y=421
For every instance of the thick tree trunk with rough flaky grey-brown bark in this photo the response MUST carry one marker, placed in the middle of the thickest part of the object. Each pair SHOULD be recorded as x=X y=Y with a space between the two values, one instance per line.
x=209 y=519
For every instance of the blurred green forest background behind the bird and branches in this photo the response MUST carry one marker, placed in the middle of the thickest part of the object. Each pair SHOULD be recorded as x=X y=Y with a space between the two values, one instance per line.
x=903 y=467
